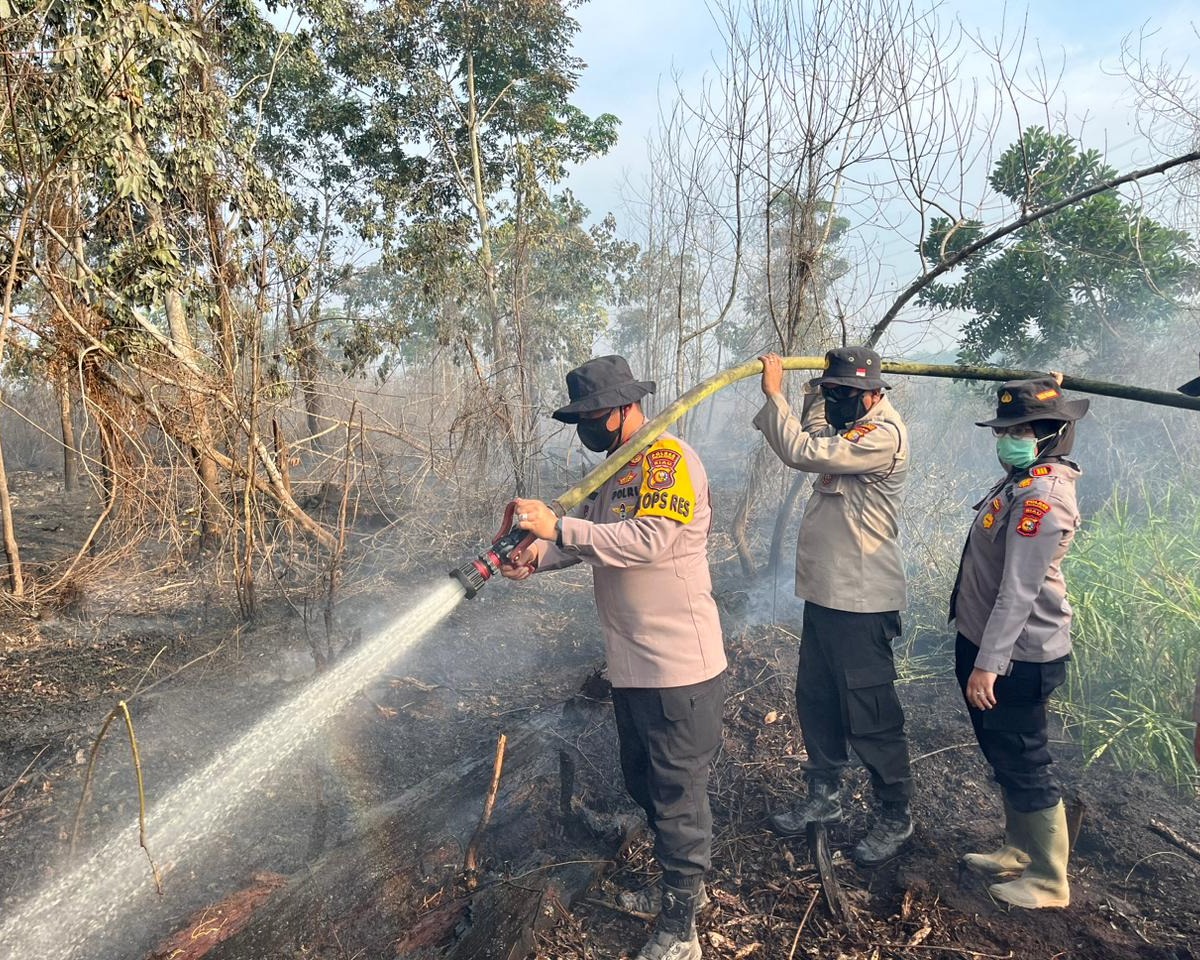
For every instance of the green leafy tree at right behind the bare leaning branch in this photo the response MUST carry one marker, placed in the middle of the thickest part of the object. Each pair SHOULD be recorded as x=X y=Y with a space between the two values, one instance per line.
x=1089 y=280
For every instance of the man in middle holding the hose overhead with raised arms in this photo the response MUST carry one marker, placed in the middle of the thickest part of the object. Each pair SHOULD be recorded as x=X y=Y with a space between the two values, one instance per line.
x=849 y=573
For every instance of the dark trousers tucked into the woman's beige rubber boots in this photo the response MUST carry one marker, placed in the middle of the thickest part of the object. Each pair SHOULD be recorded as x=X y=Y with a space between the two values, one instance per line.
x=1013 y=734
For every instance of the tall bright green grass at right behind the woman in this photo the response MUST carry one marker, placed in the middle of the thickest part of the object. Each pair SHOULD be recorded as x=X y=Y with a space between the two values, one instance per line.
x=1133 y=581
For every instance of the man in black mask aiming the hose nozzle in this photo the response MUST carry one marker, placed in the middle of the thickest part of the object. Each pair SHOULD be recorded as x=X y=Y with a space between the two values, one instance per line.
x=645 y=535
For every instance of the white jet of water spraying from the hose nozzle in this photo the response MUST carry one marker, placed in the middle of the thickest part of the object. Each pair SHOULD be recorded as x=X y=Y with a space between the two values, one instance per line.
x=86 y=913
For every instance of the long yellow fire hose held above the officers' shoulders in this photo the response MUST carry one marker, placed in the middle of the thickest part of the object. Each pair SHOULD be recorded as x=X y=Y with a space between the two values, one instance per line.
x=705 y=389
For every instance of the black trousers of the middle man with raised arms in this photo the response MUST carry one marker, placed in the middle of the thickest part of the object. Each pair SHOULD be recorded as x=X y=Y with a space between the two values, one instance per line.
x=845 y=695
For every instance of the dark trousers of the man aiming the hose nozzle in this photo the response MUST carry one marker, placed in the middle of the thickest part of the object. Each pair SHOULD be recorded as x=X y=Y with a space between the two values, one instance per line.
x=668 y=739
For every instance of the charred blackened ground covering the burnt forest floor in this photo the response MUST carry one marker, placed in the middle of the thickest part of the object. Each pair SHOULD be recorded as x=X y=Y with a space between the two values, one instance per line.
x=357 y=851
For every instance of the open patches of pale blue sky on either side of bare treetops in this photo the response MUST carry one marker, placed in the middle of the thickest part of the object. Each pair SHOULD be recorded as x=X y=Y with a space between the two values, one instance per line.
x=633 y=49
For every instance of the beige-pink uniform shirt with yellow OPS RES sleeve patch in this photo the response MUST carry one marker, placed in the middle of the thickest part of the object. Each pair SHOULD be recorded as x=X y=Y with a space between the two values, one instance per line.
x=645 y=535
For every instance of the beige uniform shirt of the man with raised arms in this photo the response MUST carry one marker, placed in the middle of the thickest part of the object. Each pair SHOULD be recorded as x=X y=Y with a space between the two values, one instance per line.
x=848 y=556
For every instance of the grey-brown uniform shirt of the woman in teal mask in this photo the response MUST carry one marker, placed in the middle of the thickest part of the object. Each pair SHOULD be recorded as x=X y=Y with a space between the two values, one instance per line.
x=1011 y=598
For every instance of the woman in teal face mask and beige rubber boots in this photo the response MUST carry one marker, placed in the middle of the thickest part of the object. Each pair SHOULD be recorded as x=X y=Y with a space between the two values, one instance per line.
x=1015 y=633
